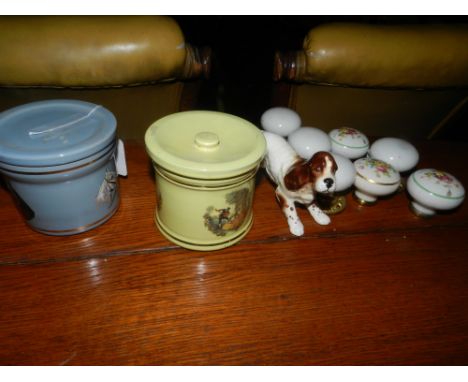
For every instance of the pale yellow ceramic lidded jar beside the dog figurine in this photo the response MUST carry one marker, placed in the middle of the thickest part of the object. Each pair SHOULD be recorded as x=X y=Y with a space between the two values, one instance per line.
x=205 y=164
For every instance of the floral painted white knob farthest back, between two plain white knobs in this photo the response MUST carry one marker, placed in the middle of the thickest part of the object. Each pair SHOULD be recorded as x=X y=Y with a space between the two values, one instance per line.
x=349 y=142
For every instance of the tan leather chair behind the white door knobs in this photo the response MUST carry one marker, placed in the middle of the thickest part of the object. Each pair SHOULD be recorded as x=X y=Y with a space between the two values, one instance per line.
x=385 y=80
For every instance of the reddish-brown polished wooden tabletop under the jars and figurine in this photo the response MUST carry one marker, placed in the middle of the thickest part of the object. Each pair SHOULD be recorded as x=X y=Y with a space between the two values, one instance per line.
x=376 y=286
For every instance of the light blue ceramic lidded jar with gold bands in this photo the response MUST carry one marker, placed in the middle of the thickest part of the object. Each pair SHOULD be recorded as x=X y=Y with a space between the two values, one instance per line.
x=58 y=160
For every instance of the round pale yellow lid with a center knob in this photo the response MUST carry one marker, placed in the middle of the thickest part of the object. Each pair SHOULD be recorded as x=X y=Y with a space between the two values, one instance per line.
x=205 y=144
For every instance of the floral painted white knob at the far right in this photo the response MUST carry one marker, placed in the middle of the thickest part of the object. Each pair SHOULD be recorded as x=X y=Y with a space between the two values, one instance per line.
x=434 y=190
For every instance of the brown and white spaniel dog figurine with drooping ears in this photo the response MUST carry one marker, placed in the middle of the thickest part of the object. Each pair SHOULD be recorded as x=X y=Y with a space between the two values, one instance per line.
x=298 y=180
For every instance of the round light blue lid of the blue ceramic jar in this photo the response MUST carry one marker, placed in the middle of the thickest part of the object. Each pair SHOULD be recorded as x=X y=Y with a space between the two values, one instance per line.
x=56 y=132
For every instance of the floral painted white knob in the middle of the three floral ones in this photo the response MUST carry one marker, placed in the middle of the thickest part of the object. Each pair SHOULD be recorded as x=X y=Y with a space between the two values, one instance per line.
x=374 y=178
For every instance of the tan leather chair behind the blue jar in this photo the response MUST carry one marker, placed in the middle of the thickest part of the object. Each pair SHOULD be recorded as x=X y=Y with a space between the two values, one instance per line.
x=139 y=67
